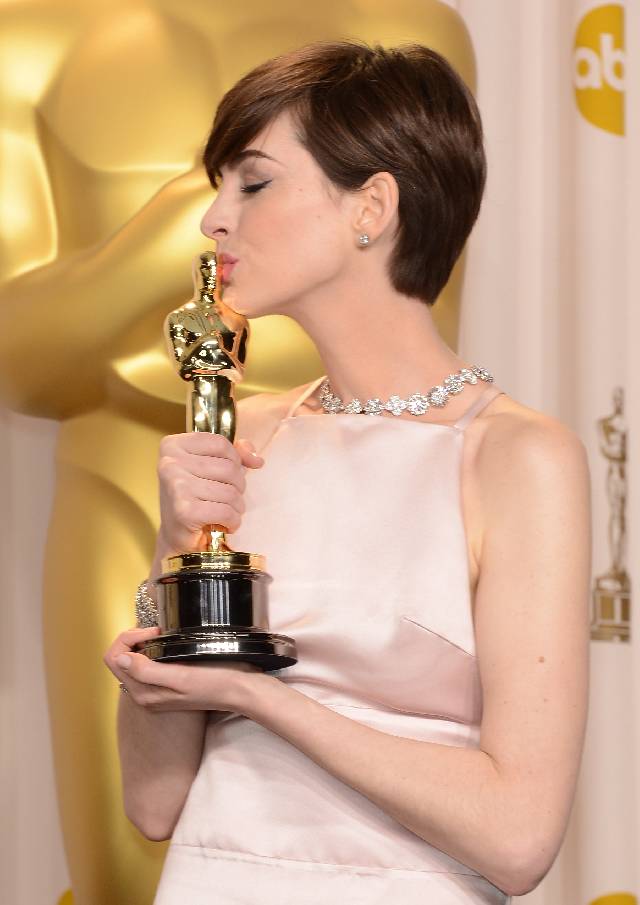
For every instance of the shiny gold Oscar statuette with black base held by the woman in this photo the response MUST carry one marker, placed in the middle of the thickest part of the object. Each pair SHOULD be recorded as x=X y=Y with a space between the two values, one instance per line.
x=212 y=605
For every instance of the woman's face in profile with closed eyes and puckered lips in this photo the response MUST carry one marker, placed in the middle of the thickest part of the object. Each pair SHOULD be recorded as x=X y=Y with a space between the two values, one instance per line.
x=290 y=230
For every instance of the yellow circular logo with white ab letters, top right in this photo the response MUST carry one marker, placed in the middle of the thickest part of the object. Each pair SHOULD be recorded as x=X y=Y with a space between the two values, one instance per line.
x=599 y=67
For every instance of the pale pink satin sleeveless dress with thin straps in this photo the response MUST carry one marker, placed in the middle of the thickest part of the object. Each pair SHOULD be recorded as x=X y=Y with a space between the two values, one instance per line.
x=360 y=520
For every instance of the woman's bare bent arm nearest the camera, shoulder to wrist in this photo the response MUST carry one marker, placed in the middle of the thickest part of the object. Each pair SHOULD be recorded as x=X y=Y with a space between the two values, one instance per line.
x=501 y=809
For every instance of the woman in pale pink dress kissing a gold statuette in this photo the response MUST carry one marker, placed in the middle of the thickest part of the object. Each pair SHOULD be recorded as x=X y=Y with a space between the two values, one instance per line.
x=431 y=560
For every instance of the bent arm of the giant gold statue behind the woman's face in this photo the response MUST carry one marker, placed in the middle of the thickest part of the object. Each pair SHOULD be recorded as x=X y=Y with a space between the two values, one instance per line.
x=77 y=303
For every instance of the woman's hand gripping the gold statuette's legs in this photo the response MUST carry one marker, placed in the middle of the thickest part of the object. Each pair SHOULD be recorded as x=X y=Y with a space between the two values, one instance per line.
x=202 y=483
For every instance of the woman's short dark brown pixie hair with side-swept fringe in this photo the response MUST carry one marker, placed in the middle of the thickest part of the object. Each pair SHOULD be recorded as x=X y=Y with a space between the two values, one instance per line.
x=362 y=110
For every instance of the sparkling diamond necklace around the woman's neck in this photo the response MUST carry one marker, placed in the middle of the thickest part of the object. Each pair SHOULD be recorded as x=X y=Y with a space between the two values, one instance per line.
x=417 y=404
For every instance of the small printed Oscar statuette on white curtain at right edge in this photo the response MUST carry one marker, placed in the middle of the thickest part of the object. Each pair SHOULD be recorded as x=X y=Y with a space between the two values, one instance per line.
x=611 y=615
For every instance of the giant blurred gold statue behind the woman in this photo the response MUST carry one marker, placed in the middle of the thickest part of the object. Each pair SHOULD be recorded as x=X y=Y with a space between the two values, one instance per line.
x=106 y=104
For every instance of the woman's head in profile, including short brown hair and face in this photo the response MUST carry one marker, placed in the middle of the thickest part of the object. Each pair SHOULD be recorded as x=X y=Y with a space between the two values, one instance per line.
x=316 y=148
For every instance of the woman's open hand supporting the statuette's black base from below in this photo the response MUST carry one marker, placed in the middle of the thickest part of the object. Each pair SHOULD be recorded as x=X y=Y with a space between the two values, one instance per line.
x=176 y=686
